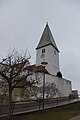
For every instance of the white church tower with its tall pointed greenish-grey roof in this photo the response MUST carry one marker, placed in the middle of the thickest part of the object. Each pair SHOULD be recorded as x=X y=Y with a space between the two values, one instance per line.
x=47 y=51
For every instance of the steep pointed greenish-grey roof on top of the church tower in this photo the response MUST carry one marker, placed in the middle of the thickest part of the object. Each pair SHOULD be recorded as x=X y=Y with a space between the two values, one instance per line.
x=47 y=38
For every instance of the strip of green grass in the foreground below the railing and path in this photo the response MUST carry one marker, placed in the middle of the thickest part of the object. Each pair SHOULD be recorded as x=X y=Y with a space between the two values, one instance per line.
x=58 y=114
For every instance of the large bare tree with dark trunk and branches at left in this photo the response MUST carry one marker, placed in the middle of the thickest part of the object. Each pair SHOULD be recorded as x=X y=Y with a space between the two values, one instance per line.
x=13 y=72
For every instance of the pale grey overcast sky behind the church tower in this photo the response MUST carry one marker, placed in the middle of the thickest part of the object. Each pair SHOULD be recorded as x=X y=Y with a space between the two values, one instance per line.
x=22 y=23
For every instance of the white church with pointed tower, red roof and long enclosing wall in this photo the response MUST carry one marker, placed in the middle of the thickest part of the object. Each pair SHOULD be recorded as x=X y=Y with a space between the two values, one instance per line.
x=46 y=71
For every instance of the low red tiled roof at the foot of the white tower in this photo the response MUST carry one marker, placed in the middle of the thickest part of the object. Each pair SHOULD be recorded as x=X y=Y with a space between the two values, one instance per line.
x=34 y=68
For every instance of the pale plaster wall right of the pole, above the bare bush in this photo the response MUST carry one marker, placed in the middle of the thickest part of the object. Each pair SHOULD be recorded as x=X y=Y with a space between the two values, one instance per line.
x=63 y=85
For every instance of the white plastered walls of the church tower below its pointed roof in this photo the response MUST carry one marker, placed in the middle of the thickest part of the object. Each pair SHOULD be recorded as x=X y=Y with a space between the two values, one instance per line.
x=50 y=58
